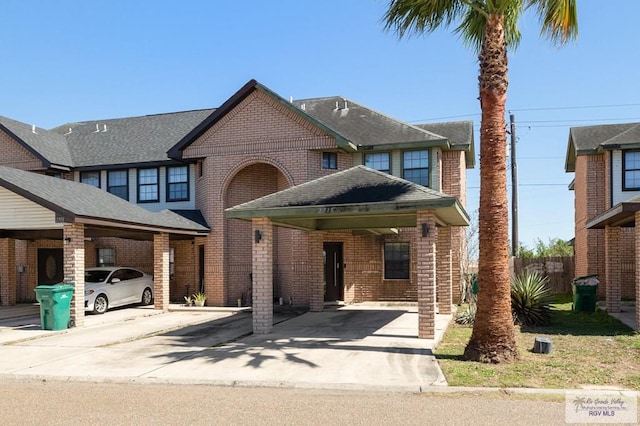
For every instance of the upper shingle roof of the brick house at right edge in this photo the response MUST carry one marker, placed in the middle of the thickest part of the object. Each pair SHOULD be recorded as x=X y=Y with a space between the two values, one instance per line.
x=589 y=140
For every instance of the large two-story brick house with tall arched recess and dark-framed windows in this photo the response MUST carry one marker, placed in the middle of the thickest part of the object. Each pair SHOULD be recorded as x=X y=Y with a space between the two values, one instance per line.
x=200 y=164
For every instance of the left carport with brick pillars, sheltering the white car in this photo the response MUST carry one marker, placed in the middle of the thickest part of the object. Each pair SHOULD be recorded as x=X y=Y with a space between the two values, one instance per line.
x=35 y=206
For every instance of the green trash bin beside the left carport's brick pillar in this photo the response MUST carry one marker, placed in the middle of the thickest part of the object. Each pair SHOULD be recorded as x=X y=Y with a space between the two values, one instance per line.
x=55 y=306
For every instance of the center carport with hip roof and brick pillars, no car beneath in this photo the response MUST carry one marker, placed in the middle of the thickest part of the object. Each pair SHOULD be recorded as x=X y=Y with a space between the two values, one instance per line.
x=359 y=199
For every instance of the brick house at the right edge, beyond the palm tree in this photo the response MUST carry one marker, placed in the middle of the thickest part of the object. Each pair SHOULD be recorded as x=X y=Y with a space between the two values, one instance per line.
x=606 y=163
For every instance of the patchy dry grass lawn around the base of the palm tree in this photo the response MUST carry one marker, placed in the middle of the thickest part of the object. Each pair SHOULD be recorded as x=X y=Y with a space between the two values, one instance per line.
x=589 y=350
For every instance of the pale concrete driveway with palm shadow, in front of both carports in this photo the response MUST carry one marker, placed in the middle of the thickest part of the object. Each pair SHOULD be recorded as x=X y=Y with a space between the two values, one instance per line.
x=371 y=347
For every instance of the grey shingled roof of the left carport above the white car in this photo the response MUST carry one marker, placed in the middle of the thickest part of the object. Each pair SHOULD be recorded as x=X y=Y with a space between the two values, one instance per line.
x=77 y=202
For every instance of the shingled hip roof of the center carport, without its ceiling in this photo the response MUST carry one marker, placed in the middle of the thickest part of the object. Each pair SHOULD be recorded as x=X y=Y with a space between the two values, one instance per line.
x=358 y=190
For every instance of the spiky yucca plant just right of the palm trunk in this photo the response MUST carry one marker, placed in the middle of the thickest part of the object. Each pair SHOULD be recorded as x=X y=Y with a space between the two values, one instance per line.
x=531 y=299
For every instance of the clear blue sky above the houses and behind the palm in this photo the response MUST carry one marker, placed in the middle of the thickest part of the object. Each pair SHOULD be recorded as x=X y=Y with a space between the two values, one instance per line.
x=71 y=60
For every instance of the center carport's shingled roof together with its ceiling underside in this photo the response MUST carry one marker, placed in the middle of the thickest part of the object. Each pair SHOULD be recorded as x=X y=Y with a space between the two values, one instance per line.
x=359 y=198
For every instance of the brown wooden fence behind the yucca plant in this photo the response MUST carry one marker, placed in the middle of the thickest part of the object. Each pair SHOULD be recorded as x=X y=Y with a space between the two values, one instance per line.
x=560 y=270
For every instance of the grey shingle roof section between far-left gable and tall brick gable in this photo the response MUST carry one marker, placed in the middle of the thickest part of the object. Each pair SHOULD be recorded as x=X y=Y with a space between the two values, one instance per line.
x=128 y=140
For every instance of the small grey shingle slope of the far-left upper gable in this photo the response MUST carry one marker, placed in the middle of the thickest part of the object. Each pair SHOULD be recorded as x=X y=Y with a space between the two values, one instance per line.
x=49 y=146
